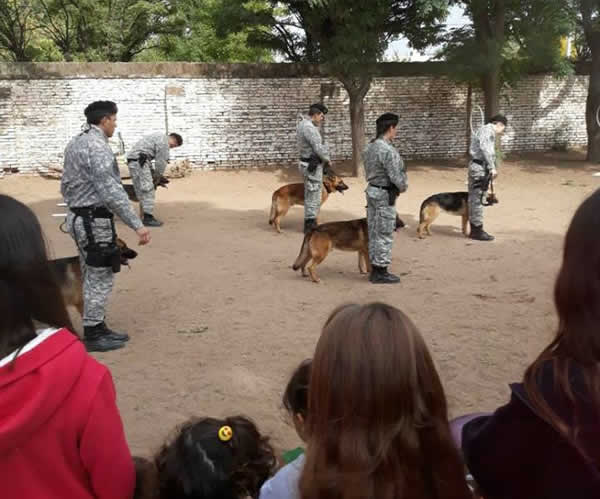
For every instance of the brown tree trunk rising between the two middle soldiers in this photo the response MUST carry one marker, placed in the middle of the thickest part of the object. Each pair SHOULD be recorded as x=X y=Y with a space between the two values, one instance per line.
x=356 y=92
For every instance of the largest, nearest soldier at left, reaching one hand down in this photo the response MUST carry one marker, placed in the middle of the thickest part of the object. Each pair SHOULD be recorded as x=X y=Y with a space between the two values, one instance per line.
x=91 y=186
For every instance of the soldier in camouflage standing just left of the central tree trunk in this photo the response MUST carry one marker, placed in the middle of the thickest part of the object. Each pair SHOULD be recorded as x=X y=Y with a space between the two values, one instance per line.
x=313 y=155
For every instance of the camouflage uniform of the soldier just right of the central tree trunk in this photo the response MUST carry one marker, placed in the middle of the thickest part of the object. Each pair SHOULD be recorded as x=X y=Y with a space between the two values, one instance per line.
x=383 y=167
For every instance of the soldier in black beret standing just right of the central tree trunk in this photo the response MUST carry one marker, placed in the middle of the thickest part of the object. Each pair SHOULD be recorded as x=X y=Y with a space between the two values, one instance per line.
x=386 y=175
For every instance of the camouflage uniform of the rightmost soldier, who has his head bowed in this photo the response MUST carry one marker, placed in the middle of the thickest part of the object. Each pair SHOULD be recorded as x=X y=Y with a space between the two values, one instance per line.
x=483 y=148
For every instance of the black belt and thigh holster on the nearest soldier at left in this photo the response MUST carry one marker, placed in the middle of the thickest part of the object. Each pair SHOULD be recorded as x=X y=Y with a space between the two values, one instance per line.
x=99 y=254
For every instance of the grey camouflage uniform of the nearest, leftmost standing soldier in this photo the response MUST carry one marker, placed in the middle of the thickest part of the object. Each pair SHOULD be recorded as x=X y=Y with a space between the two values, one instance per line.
x=91 y=178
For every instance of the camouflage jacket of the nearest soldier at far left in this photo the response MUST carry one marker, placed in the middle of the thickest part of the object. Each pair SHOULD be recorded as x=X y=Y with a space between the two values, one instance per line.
x=91 y=177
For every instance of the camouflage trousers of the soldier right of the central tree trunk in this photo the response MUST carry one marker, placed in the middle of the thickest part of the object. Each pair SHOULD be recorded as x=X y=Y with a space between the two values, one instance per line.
x=381 y=221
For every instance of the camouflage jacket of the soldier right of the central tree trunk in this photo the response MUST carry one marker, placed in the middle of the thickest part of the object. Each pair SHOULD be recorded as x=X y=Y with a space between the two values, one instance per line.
x=384 y=165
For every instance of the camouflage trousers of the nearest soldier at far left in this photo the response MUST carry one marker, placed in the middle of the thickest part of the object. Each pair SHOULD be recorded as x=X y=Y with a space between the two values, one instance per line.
x=97 y=281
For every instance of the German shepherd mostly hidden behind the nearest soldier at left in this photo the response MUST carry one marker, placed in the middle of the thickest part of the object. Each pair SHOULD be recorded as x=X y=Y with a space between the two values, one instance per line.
x=67 y=272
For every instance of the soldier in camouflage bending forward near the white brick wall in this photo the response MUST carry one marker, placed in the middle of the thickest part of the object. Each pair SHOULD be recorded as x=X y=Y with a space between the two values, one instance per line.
x=139 y=160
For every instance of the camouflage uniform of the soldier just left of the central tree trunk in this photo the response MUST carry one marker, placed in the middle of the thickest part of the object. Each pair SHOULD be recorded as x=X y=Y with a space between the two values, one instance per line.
x=309 y=142
